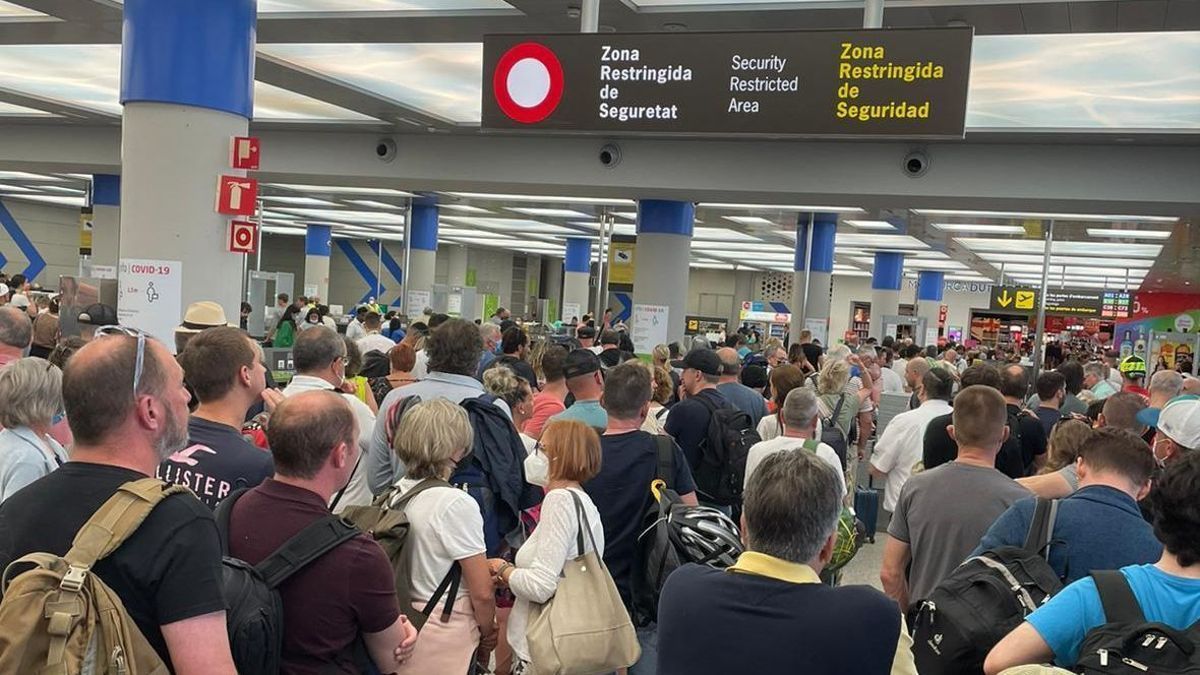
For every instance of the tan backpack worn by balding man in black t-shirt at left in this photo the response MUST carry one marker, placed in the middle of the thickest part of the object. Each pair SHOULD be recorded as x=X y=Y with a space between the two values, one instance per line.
x=61 y=618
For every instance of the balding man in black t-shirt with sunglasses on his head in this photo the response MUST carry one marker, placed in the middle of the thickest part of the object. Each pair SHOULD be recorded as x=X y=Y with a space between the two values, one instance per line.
x=128 y=409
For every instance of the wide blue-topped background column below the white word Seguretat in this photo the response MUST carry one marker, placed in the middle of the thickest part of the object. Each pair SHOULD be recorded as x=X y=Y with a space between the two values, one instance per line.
x=662 y=264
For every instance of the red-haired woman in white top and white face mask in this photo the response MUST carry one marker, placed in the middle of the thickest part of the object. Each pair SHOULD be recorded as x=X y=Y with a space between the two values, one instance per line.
x=571 y=451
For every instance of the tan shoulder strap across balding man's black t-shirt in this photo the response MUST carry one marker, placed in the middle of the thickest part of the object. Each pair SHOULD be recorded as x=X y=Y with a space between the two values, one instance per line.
x=118 y=519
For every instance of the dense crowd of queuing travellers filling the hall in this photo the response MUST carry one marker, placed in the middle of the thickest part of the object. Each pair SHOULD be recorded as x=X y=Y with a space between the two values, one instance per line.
x=473 y=468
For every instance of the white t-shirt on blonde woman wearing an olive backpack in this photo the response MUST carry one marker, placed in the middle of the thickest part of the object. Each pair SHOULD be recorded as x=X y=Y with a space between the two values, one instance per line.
x=446 y=527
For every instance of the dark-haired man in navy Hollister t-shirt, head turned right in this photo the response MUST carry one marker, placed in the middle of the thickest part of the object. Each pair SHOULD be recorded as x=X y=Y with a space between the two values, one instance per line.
x=226 y=373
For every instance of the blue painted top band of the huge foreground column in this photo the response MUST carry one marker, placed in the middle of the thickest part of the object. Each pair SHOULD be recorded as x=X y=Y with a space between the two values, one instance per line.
x=190 y=52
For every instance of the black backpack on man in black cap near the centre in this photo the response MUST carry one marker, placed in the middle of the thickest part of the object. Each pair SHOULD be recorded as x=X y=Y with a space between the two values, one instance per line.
x=723 y=455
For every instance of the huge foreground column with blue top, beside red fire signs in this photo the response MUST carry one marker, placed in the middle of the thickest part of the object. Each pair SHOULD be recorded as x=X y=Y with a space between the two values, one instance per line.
x=188 y=83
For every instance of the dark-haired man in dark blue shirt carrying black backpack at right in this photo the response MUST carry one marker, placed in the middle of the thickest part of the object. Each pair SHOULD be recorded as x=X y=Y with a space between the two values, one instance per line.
x=1100 y=527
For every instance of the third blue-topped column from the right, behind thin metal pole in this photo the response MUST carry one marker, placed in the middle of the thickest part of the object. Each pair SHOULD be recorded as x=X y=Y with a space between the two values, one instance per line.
x=820 y=280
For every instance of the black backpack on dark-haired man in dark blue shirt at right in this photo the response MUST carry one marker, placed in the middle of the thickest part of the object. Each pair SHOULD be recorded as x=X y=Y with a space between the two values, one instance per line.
x=983 y=600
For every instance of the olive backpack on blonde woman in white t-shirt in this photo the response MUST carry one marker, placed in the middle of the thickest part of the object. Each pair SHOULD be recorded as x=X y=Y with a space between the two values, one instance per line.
x=389 y=527
